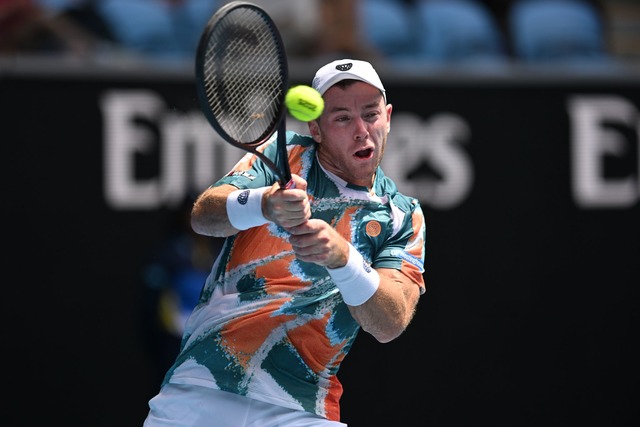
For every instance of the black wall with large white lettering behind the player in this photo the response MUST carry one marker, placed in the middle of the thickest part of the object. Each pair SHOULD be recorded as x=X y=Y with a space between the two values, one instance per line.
x=531 y=315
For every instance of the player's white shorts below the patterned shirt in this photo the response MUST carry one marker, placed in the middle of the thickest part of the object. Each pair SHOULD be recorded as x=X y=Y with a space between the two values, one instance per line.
x=178 y=405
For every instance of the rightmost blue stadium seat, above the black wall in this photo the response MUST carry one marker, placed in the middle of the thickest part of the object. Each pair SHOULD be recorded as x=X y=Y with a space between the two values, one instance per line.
x=553 y=31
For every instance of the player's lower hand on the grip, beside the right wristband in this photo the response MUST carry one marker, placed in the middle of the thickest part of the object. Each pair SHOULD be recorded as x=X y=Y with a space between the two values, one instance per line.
x=316 y=241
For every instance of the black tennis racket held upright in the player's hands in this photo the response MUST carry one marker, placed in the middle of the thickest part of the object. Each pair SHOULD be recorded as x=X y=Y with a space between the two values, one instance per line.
x=242 y=77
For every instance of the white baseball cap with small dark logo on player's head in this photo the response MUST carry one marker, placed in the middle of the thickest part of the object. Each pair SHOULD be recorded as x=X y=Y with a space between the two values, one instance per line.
x=344 y=69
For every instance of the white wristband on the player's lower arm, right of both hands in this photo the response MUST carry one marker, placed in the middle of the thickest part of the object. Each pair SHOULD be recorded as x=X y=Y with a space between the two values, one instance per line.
x=357 y=280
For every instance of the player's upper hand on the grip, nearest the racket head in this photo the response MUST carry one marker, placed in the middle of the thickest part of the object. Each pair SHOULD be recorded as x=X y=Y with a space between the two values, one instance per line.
x=287 y=207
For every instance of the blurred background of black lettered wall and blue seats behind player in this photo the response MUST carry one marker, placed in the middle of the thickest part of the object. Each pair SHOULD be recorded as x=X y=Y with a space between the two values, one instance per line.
x=515 y=122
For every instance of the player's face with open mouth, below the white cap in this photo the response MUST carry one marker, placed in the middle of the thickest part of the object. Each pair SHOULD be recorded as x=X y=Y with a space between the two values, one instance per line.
x=352 y=132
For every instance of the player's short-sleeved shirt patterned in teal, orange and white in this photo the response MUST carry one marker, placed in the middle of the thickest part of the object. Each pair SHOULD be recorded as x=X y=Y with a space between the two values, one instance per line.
x=274 y=328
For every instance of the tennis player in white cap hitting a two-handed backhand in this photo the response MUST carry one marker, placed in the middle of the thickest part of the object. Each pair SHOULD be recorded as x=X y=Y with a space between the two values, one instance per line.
x=301 y=272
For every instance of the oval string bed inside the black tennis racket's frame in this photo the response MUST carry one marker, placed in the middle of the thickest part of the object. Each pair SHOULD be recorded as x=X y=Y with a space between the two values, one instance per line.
x=244 y=80
